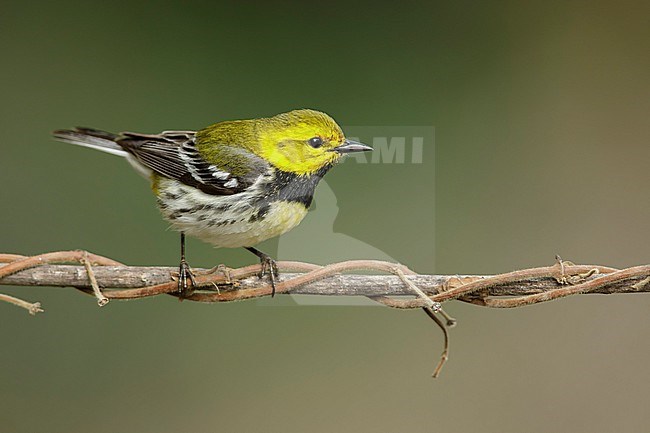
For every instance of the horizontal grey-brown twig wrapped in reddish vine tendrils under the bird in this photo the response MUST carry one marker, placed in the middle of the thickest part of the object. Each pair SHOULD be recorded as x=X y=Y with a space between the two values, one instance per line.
x=108 y=279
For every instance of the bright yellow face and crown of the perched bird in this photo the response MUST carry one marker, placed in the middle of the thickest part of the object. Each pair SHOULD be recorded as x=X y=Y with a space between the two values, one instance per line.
x=301 y=141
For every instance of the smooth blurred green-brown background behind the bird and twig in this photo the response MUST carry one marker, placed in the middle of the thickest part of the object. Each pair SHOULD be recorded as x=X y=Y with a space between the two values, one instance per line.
x=541 y=118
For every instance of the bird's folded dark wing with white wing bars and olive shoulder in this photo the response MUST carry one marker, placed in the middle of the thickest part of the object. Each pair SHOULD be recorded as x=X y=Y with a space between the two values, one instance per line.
x=173 y=154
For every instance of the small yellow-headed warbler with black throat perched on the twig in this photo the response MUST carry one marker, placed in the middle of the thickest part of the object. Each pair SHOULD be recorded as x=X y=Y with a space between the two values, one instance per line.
x=235 y=183
